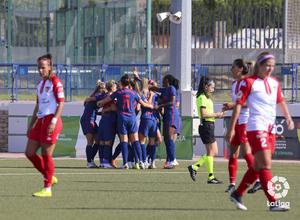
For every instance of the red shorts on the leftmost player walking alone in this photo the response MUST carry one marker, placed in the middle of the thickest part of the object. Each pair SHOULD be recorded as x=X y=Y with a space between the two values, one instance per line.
x=39 y=131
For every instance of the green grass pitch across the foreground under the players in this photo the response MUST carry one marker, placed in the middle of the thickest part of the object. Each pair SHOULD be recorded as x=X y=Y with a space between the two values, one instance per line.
x=133 y=194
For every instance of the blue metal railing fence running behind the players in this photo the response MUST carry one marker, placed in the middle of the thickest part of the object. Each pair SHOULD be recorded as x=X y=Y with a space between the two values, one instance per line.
x=18 y=81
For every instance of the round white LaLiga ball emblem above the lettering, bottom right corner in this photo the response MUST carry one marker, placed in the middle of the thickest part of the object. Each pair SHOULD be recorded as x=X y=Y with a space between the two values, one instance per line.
x=278 y=187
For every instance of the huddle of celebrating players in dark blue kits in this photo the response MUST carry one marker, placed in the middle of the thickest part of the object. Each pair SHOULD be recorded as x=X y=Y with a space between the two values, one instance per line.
x=120 y=104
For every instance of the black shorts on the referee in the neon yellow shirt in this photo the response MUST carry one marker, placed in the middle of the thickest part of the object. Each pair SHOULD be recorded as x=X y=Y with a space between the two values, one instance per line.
x=207 y=132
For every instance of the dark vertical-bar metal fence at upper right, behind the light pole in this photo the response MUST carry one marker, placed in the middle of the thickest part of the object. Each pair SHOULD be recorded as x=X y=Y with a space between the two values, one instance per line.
x=232 y=25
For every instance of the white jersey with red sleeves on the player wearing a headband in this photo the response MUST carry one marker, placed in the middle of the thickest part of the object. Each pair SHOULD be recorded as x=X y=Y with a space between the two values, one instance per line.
x=261 y=96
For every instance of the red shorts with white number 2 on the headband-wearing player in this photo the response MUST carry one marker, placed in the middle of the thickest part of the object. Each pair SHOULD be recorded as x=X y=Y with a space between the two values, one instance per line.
x=261 y=140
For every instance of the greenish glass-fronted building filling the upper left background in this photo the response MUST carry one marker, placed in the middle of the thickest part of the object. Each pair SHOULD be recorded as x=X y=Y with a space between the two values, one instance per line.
x=74 y=31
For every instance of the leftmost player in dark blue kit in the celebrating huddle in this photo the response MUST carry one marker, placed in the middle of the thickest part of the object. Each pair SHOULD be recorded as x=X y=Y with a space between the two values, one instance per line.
x=88 y=123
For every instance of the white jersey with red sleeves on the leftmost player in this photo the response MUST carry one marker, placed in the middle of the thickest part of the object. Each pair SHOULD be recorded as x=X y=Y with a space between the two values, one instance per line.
x=49 y=93
